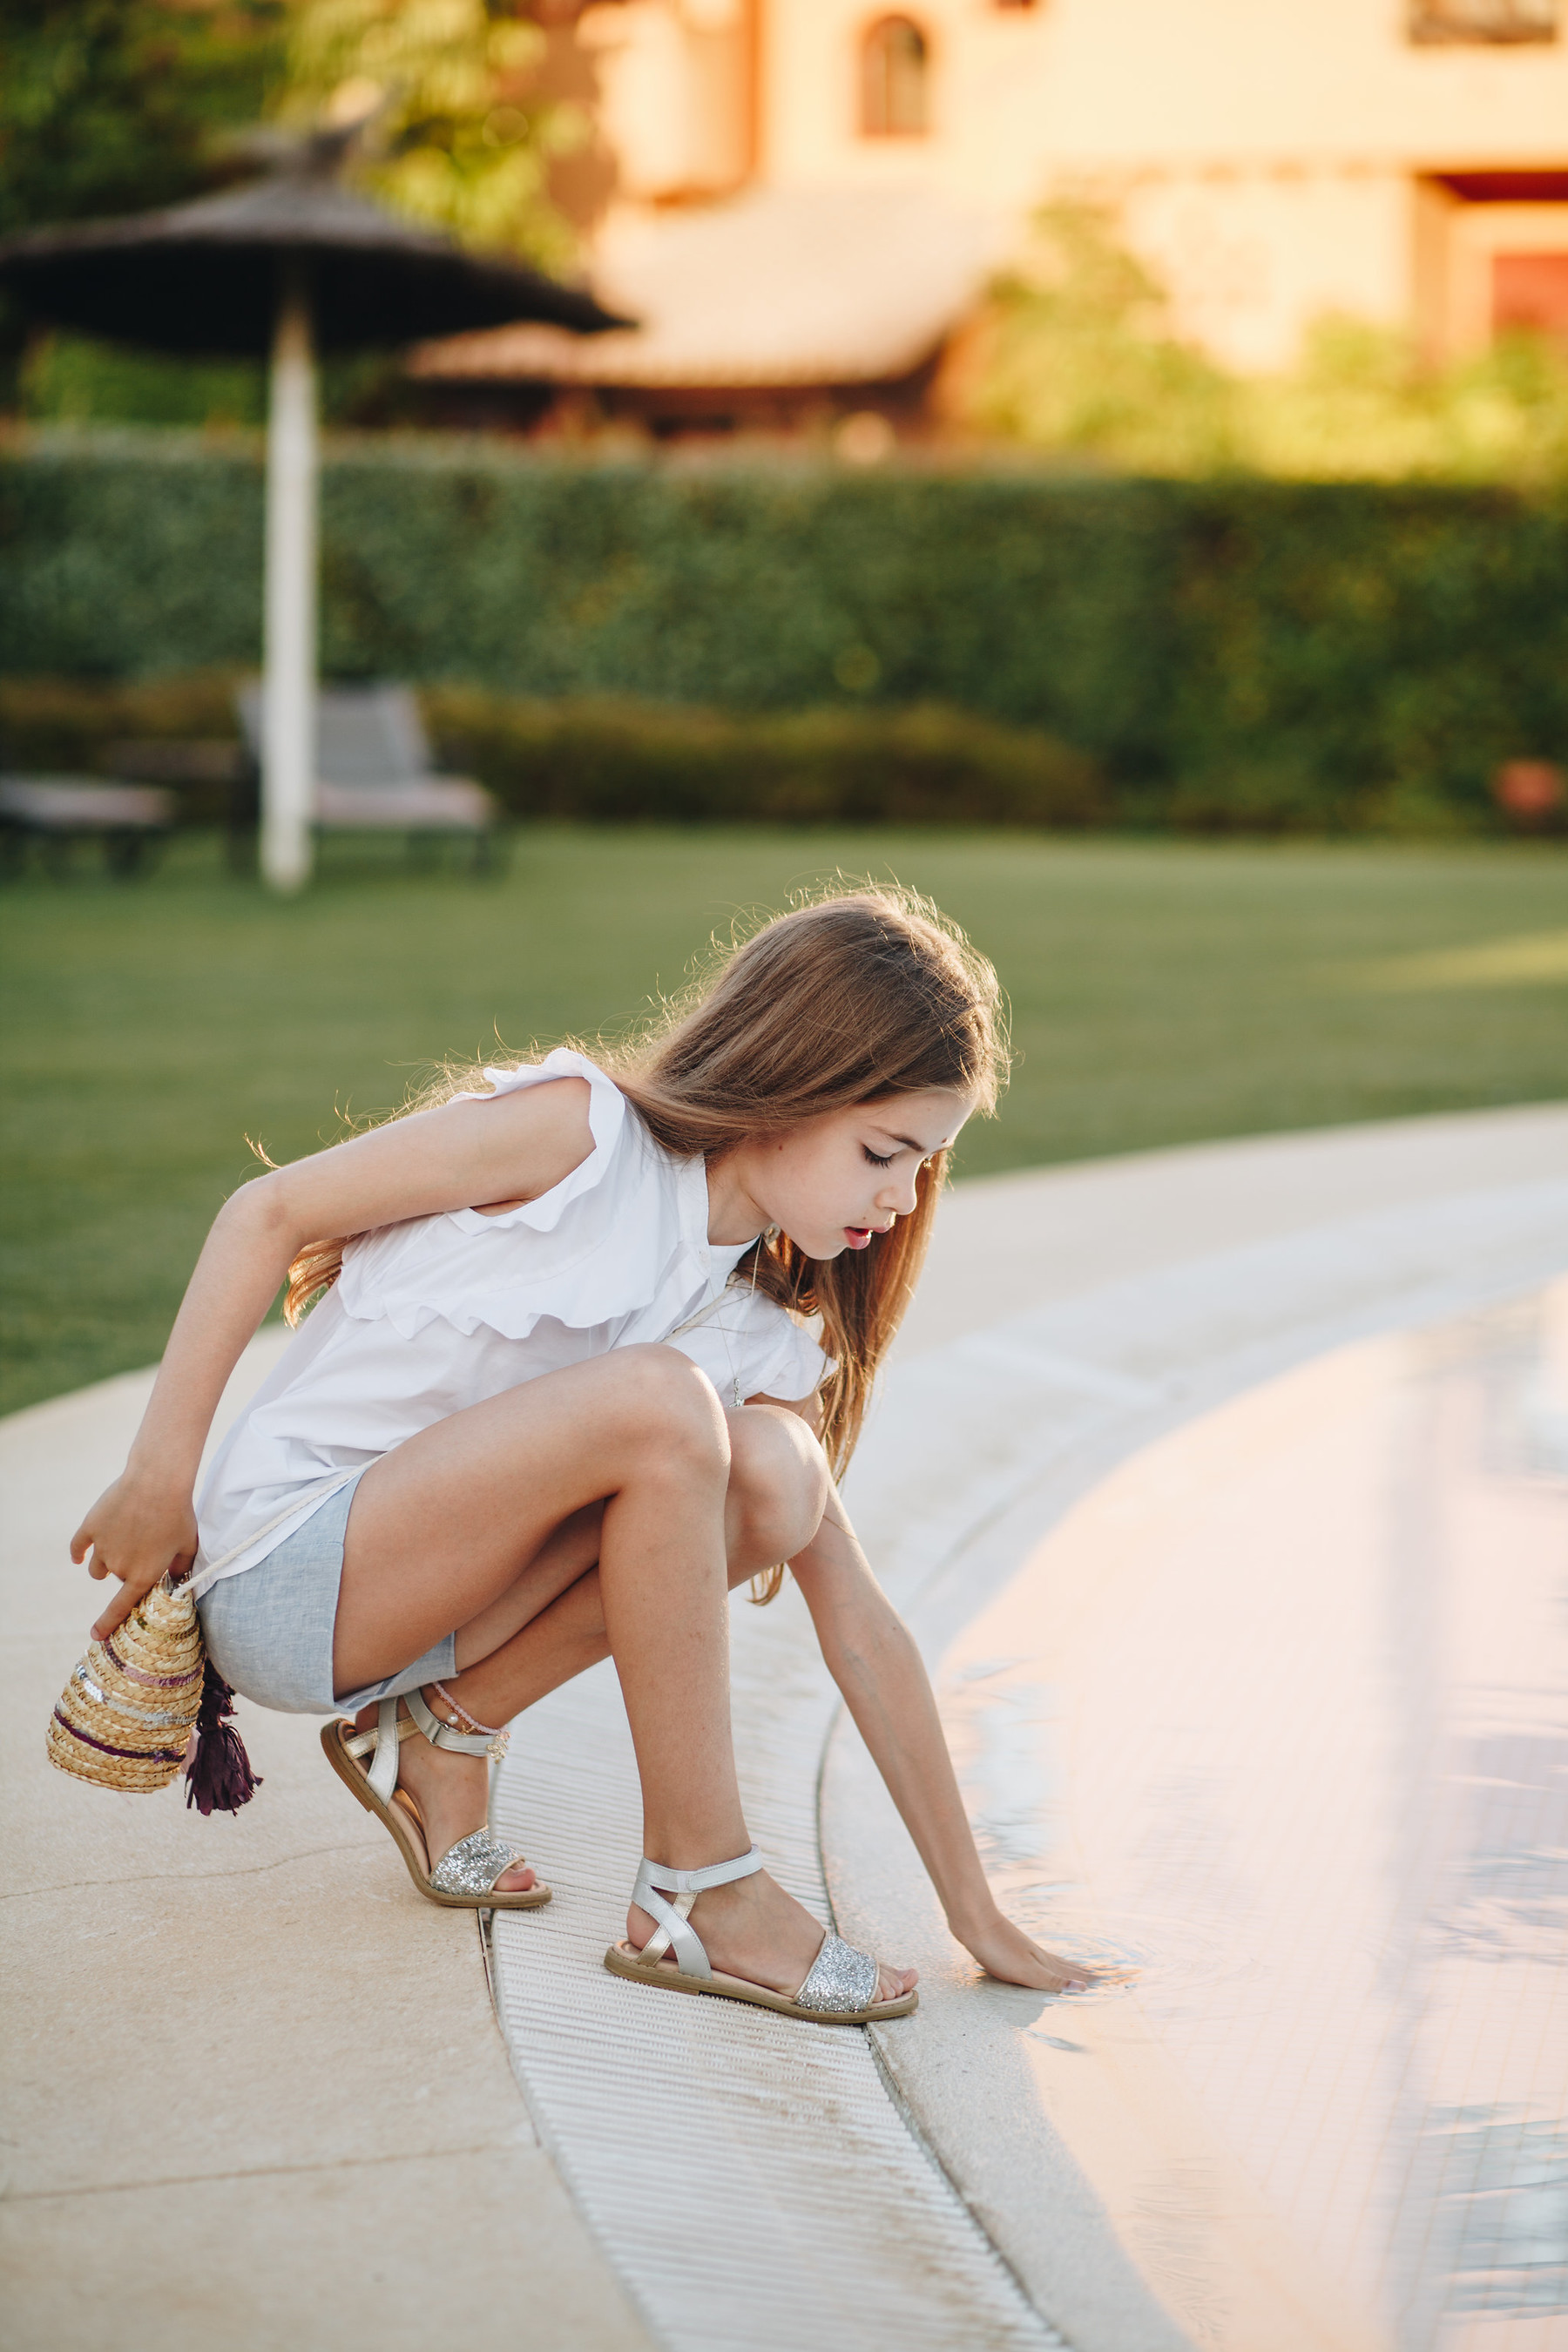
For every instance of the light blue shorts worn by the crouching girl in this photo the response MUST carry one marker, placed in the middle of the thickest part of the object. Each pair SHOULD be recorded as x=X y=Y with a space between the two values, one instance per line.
x=269 y=1631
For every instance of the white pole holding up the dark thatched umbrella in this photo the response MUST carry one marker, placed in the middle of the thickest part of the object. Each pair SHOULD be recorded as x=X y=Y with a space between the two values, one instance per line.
x=288 y=763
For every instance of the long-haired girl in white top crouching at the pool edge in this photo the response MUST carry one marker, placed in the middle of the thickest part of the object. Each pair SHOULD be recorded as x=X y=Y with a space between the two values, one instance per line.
x=558 y=1396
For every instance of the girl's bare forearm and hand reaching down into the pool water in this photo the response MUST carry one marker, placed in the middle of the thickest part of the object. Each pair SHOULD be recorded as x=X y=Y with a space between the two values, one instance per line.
x=887 y=1690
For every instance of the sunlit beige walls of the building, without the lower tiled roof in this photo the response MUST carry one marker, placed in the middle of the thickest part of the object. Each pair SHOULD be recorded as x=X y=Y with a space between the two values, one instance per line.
x=1275 y=156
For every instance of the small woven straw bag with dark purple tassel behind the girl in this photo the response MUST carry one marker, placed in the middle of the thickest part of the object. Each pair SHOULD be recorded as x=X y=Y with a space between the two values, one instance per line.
x=130 y=1706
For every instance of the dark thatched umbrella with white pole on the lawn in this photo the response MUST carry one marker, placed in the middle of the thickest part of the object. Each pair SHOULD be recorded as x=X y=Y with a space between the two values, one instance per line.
x=288 y=265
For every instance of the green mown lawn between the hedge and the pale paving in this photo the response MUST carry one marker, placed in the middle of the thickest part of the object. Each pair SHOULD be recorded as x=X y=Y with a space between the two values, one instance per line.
x=1160 y=994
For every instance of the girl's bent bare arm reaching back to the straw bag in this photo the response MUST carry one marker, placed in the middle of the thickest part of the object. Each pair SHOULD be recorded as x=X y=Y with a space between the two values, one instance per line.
x=488 y=1154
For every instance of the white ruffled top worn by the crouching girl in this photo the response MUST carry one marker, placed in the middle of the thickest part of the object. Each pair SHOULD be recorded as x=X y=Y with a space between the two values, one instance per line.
x=448 y=1311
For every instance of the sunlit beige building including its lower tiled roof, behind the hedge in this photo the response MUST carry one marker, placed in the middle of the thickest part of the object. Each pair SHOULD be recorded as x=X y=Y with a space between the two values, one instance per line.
x=1402 y=161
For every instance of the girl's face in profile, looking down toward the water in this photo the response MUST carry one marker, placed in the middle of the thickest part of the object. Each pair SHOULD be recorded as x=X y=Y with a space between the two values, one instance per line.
x=838 y=1180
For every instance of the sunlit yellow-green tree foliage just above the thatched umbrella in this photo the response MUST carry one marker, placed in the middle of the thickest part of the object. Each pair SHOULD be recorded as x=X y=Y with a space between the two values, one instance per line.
x=460 y=126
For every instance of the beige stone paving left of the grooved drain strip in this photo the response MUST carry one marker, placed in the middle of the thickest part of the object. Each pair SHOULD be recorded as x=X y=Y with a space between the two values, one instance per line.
x=253 y=2087
